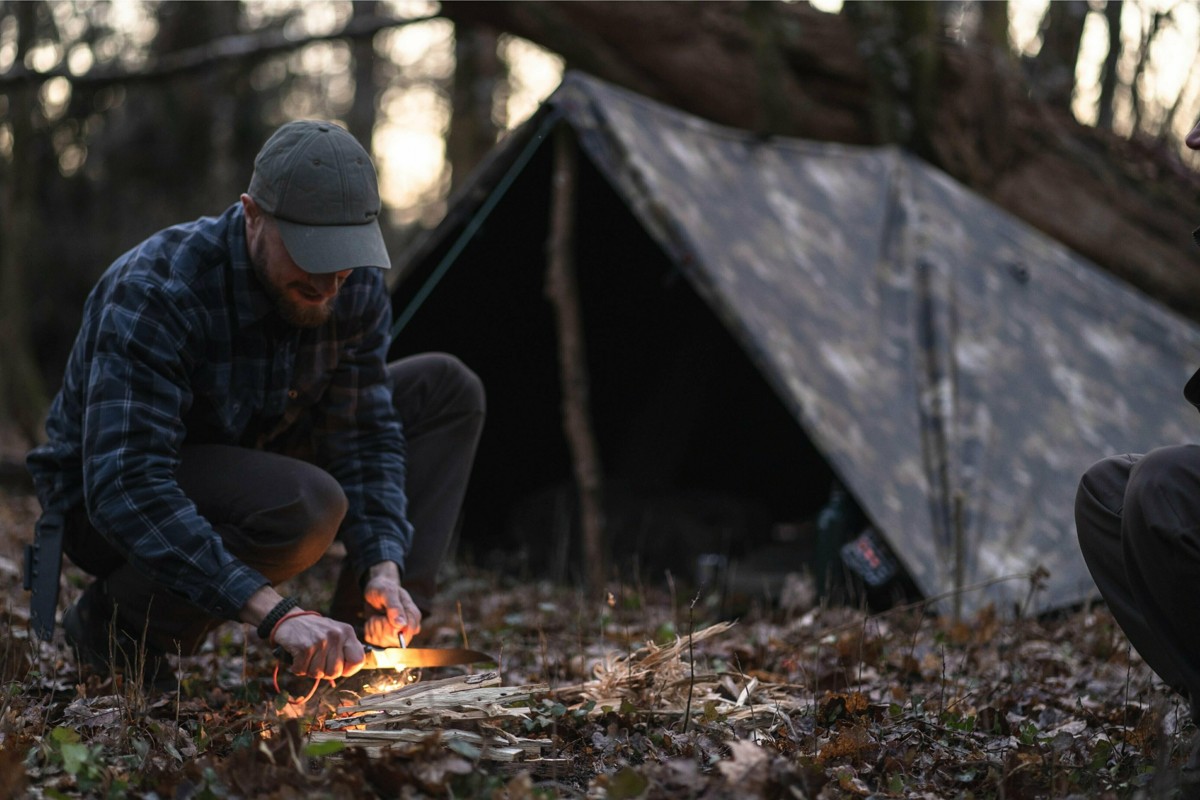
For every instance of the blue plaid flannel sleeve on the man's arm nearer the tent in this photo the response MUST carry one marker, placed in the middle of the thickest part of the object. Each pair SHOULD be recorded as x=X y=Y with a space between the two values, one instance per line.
x=361 y=442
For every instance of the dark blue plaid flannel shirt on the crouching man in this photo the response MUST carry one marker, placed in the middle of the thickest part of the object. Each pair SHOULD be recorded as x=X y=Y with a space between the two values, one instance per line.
x=181 y=345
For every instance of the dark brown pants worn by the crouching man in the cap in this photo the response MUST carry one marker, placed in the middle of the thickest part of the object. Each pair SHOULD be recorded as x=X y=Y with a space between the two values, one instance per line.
x=279 y=515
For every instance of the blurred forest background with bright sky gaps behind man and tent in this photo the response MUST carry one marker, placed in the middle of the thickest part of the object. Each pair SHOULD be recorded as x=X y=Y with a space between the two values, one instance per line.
x=121 y=118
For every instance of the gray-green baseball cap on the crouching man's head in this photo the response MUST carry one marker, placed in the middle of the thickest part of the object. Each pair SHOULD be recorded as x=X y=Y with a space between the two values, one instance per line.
x=320 y=185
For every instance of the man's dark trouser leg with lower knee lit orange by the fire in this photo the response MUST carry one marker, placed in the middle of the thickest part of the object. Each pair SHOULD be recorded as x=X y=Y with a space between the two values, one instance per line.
x=277 y=514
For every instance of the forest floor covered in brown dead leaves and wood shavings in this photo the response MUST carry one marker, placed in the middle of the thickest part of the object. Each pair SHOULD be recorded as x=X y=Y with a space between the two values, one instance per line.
x=644 y=693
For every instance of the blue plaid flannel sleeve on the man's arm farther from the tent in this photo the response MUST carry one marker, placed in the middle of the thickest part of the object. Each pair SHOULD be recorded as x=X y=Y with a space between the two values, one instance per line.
x=139 y=392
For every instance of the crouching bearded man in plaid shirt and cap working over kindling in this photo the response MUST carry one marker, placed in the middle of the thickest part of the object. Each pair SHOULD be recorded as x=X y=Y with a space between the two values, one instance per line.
x=229 y=412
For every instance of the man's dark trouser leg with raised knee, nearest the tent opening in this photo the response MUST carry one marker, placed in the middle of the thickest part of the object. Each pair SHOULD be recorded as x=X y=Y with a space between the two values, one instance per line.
x=442 y=407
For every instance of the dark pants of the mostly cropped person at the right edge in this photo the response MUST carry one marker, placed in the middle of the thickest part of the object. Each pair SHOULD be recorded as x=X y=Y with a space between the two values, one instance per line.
x=1138 y=520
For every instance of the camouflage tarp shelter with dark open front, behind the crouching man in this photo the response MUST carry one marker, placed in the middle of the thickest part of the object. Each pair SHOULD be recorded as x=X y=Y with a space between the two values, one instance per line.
x=765 y=315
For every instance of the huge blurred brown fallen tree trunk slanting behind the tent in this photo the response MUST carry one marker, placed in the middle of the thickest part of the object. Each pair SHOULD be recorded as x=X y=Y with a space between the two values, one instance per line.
x=1125 y=208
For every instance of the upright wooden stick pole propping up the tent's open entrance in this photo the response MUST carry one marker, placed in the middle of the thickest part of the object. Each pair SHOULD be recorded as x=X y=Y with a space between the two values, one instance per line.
x=563 y=292
